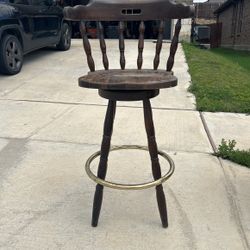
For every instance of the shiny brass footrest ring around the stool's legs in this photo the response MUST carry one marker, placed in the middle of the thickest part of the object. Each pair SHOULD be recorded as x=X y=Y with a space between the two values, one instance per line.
x=130 y=186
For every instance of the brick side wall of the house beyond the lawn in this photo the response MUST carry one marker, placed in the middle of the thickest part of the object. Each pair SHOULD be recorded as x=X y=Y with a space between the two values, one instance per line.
x=237 y=40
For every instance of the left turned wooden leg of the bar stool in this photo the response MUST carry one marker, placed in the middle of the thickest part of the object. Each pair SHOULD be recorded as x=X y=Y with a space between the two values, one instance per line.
x=102 y=168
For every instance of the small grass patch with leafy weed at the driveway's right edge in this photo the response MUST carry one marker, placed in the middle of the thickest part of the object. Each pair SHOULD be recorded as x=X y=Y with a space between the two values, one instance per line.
x=227 y=150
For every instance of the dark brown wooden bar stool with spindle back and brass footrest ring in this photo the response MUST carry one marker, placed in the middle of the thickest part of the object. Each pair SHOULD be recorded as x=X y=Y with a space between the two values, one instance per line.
x=129 y=84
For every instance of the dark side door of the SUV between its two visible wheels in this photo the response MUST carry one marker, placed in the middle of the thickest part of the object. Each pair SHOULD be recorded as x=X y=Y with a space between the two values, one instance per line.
x=46 y=22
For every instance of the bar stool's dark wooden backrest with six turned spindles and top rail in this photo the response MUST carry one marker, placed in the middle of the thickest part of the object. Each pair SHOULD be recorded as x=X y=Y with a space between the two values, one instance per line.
x=132 y=10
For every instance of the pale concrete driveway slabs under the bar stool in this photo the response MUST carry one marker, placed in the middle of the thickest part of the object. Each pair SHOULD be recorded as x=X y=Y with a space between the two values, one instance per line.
x=49 y=126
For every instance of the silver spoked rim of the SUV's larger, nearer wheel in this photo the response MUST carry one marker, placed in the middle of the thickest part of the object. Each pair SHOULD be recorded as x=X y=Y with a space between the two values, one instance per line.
x=13 y=55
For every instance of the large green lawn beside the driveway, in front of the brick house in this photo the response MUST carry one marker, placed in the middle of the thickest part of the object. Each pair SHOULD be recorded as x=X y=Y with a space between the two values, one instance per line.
x=220 y=78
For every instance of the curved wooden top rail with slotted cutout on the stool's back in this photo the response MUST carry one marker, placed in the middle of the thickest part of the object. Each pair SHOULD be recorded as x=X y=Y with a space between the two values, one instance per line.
x=128 y=10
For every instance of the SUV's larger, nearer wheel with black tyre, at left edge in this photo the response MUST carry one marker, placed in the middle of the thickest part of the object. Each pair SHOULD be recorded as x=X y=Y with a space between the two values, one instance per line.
x=11 y=55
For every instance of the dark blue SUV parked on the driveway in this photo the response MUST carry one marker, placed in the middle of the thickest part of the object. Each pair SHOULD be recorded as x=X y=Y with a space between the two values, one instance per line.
x=27 y=25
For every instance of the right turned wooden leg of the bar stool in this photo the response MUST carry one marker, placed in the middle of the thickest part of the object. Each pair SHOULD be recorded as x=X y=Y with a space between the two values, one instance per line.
x=149 y=124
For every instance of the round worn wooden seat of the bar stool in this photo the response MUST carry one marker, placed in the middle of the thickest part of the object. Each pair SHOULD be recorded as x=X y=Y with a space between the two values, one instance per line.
x=128 y=79
